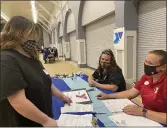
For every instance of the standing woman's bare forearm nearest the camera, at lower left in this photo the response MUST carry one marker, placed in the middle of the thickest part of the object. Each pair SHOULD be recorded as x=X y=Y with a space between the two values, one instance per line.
x=27 y=109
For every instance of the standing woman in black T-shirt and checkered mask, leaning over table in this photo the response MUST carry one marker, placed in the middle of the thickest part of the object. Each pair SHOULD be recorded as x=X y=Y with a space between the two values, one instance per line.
x=26 y=89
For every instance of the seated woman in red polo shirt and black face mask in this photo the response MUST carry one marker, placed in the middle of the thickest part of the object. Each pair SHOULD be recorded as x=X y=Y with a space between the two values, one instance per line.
x=151 y=87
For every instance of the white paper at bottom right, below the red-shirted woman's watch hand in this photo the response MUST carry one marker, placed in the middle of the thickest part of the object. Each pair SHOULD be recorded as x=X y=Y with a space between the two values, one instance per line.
x=123 y=119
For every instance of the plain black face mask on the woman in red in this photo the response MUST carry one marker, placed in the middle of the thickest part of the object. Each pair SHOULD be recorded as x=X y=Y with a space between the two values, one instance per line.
x=150 y=70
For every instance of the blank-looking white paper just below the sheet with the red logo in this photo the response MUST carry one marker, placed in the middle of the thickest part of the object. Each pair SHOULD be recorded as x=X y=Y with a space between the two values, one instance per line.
x=74 y=107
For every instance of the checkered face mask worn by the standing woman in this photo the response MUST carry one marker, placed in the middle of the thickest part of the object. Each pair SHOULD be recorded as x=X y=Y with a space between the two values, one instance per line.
x=29 y=45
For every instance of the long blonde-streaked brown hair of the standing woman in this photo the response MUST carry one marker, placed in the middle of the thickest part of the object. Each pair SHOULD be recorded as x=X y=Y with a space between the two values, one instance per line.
x=17 y=29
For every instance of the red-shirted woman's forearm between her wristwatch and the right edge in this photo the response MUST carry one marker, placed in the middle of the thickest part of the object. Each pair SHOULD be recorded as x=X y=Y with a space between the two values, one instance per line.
x=157 y=116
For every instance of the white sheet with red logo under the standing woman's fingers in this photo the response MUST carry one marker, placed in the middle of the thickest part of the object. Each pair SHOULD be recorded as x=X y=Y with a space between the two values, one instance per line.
x=73 y=95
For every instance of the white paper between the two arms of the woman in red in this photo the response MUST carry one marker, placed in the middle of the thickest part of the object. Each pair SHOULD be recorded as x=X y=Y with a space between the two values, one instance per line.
x=116 y=105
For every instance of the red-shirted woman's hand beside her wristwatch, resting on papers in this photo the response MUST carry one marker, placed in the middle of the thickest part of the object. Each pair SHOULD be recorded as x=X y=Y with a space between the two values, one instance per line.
x=133 y=110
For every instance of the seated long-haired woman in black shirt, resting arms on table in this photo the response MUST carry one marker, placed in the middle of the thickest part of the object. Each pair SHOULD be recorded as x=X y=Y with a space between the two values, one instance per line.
x=108 y=76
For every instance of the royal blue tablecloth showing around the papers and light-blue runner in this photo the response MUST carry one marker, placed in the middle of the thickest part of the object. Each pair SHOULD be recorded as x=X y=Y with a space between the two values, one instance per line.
x=57 y=104
